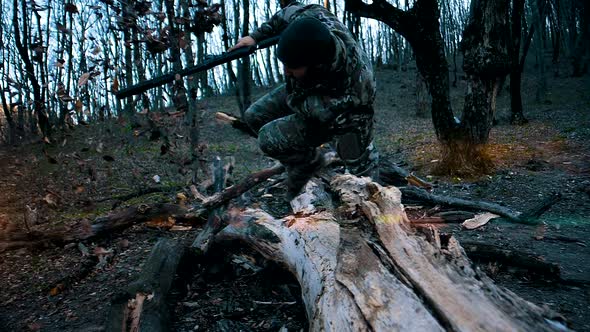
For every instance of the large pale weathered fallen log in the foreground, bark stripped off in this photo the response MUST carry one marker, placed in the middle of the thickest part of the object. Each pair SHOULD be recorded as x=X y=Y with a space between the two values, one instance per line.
x=363 y=268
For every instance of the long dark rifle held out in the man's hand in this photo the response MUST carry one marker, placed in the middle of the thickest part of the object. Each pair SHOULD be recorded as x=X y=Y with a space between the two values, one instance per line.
x=207 y=64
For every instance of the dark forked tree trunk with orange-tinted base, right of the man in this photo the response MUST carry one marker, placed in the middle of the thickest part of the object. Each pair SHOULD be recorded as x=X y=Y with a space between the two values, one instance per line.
x=485 y=60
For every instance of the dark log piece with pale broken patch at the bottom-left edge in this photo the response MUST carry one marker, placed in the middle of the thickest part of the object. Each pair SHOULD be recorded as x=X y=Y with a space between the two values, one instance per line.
x=142 y=306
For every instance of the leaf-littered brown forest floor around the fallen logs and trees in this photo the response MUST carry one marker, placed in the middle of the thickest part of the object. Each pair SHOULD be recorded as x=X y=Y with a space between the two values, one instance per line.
x=84 y=173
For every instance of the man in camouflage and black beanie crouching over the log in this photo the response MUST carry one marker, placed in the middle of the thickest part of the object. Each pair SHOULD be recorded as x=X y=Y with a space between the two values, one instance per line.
x=328 y=95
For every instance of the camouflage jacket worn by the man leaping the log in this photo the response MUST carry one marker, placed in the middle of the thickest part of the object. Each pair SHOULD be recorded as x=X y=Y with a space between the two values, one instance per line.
x=346 y=84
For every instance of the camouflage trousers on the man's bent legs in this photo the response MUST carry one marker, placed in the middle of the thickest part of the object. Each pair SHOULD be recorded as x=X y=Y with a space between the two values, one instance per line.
x=292 y=138
